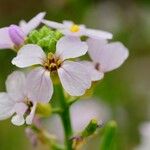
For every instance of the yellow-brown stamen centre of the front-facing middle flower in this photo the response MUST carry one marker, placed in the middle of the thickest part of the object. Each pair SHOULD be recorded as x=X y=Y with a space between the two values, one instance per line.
x=52 y=63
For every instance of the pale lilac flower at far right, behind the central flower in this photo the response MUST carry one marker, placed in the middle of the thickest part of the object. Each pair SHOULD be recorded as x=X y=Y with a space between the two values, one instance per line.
x=105 y=57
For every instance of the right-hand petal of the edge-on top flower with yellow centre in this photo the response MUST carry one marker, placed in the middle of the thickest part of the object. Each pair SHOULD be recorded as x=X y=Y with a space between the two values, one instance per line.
x=98 y=34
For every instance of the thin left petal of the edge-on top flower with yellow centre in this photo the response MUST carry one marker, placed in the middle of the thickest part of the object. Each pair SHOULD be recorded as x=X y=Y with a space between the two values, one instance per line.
x=53 y=24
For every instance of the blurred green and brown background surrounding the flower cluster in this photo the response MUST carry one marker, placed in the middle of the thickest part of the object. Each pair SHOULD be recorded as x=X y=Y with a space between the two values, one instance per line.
x=125 y=91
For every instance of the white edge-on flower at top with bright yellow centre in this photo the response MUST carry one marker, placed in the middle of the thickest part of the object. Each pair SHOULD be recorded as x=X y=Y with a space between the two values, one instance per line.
x=71 y=29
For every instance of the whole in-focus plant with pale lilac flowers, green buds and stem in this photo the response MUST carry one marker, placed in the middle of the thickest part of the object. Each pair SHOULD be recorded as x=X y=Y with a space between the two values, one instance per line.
x=58 y=74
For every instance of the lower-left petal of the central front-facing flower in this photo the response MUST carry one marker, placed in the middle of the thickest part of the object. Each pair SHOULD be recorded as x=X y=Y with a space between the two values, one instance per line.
x=39 y=85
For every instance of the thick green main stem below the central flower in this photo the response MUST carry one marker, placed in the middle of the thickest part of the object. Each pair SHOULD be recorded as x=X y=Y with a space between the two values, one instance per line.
x=65 y=117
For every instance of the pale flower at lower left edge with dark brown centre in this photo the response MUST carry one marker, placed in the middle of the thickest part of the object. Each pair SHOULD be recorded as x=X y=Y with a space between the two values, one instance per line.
x=17 y=100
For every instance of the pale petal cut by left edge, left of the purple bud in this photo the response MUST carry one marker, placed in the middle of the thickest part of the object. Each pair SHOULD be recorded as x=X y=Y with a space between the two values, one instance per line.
x=5 y=41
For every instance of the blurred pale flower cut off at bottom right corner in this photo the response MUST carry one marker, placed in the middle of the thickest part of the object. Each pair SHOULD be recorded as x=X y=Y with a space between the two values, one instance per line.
x=145 y=137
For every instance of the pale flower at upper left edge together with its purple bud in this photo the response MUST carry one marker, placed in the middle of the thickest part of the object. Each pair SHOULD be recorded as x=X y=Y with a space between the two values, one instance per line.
x=14 y=36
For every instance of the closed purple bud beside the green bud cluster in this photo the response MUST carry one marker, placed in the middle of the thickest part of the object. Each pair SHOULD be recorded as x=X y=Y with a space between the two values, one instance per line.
x=16 y=34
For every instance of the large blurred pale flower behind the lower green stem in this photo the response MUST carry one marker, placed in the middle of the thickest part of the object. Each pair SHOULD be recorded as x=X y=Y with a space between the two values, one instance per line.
x=81 y=114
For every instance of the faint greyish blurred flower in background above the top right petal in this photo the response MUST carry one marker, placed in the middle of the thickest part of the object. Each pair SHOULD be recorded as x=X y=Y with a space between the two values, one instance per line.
x=108 y=15
